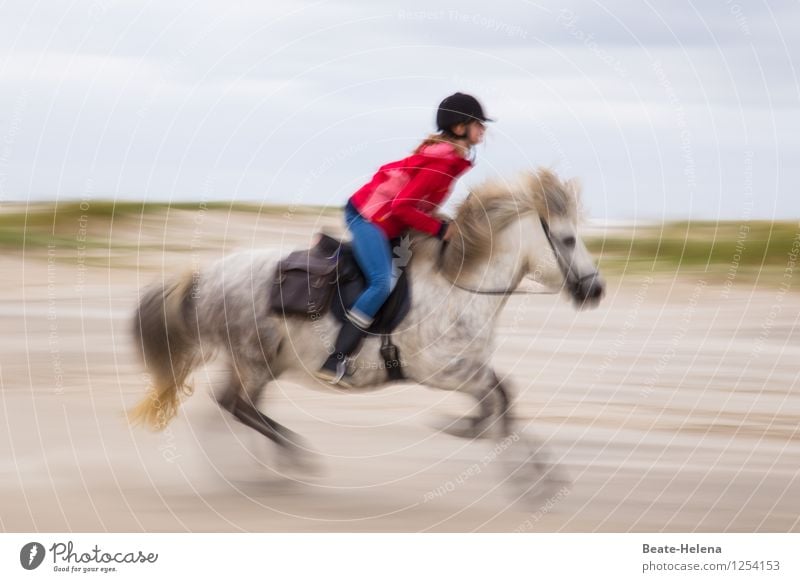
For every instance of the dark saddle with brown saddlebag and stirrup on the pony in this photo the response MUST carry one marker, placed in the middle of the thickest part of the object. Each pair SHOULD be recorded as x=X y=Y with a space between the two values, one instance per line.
x=326 y=277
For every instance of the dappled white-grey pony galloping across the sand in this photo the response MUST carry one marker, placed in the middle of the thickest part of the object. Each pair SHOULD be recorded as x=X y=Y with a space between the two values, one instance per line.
x=506 y=231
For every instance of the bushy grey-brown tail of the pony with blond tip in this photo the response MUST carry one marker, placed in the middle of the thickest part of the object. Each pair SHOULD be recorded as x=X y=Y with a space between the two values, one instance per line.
x=168 y=348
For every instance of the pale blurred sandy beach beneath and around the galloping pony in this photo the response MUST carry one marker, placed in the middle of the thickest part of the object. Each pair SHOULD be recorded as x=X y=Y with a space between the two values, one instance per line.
x=674 y=406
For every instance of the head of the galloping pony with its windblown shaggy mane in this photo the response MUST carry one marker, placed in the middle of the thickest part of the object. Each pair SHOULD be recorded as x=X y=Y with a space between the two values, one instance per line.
x=533 y=223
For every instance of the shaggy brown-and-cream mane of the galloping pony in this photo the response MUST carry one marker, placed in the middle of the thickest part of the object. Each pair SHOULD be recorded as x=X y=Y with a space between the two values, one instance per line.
x=493 y=205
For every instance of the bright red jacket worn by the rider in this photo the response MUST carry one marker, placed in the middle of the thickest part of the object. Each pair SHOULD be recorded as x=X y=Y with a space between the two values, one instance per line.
x=403 y=194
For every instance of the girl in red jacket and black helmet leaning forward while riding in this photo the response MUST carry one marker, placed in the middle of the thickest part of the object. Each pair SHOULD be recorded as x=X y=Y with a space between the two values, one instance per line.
x=402 y=195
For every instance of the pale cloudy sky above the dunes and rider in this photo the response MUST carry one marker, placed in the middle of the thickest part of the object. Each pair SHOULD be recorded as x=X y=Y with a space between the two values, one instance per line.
x=665 y=109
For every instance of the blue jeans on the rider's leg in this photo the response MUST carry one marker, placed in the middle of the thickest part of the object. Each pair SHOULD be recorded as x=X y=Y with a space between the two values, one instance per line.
x=374 y=255
